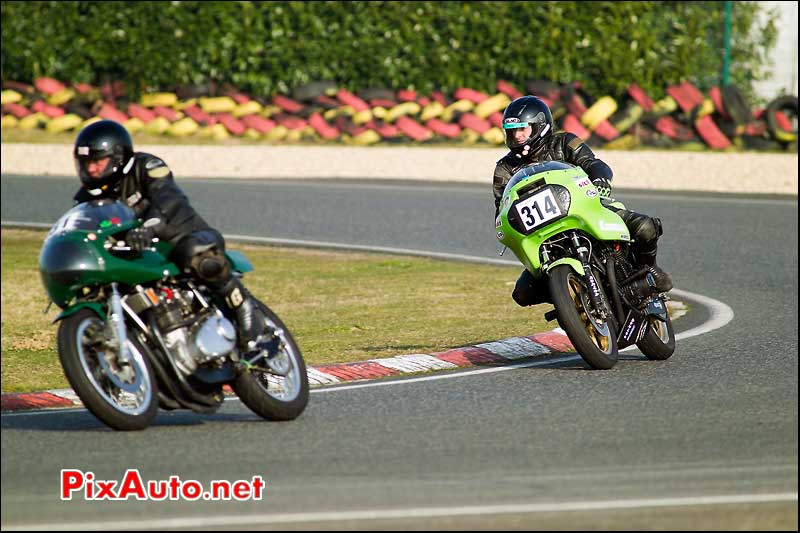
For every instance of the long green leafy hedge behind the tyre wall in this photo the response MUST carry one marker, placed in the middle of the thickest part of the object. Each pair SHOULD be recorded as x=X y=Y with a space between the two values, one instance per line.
x=273 y=47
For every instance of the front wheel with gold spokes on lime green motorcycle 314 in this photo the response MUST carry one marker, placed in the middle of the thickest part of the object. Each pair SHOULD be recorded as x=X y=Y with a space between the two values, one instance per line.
x=594 y=337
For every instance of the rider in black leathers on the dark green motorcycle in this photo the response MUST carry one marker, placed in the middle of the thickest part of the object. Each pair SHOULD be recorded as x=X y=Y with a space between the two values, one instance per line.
x=109 y=168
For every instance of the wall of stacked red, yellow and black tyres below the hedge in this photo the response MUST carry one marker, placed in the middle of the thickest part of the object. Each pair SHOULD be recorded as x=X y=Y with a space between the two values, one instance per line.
x=683 y=116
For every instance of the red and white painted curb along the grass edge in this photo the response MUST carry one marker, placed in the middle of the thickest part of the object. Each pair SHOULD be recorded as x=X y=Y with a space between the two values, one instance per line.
x=491 y=353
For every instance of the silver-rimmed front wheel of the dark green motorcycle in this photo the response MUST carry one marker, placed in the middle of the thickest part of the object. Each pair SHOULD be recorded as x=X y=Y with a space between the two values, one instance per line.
x=123 y=395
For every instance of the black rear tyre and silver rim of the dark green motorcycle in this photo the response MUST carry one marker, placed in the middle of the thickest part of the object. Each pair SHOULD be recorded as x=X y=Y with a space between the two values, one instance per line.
x=260 y=395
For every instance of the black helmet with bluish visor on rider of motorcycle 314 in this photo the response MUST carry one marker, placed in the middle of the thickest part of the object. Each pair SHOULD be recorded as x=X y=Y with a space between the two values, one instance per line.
x=522 y=113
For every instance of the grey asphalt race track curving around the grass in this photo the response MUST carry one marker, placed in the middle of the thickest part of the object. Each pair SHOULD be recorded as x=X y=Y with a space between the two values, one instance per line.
x=705 y=440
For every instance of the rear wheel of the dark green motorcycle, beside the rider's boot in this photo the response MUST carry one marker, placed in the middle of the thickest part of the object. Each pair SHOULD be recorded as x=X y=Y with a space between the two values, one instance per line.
x=282 y=392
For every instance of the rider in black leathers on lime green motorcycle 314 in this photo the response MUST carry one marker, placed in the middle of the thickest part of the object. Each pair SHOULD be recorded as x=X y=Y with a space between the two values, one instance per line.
x=528 y=127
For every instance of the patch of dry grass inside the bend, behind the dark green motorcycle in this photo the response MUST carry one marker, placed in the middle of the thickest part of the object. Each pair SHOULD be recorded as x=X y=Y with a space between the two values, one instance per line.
x=340 y=307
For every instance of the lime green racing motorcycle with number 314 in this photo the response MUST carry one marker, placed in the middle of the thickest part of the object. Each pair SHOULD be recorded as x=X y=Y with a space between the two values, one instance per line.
x=554 y=220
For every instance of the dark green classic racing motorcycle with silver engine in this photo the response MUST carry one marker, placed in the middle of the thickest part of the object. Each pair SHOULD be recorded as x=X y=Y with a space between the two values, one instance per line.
x=135 y=333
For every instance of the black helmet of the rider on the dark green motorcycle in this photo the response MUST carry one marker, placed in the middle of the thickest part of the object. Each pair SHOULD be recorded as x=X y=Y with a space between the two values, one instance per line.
x=104 y=138
